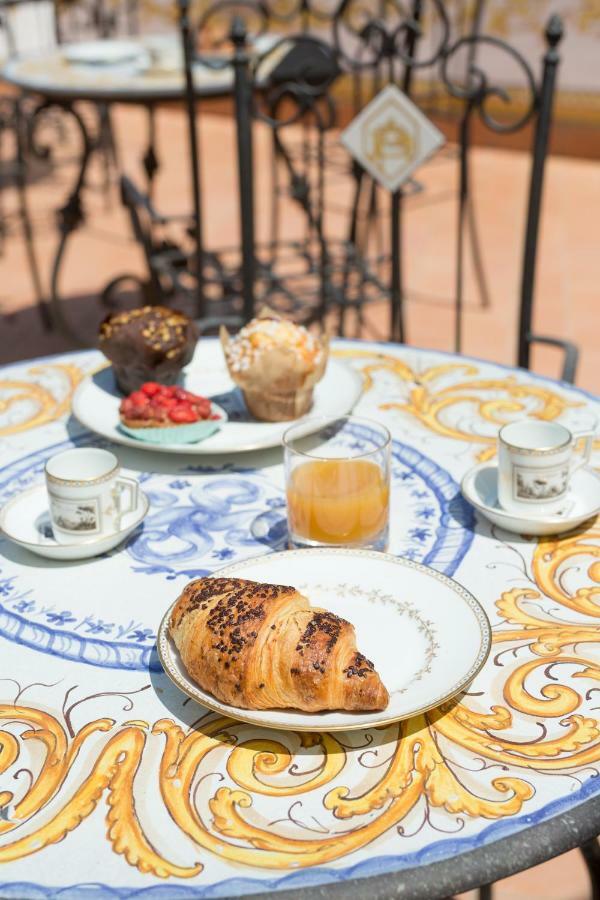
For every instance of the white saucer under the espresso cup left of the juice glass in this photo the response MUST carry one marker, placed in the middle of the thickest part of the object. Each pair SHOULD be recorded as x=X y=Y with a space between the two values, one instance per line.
x=25 y=521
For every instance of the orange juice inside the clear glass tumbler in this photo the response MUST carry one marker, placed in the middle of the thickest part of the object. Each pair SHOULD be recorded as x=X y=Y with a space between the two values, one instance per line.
x=337 y=501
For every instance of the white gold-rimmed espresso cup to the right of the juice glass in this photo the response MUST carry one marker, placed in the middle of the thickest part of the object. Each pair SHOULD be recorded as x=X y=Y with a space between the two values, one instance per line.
x=535 y=462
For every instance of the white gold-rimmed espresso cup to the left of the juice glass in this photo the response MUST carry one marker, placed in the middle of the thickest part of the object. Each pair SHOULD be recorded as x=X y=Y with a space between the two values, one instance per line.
x=87 y=495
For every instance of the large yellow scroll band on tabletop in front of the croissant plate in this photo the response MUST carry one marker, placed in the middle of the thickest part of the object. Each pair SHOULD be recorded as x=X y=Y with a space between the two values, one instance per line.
x=416 y=772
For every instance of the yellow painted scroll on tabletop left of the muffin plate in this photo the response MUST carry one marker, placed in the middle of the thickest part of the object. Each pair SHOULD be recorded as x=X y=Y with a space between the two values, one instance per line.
x=41 y=397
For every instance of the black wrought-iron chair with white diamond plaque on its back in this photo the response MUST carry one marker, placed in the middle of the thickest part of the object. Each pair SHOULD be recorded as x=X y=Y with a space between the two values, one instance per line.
x=394 y=50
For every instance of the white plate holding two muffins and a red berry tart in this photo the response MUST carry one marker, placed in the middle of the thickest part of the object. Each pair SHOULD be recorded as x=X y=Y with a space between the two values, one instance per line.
x=96 y=405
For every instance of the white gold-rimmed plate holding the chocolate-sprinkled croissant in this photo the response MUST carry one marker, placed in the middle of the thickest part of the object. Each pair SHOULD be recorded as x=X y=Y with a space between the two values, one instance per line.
x=426 y=634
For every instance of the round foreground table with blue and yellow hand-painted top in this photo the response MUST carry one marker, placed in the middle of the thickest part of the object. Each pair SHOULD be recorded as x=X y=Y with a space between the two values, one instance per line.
x=109 y=776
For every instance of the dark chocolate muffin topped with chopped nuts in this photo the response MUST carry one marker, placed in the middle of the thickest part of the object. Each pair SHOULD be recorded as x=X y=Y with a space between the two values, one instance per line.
x=151 y=343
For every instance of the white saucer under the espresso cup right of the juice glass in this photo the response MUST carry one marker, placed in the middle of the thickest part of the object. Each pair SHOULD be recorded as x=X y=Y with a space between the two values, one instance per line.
x=480 y=488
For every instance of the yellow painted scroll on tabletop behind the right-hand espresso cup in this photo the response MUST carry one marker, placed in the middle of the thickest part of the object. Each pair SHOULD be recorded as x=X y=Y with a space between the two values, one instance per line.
x=493 y=401
